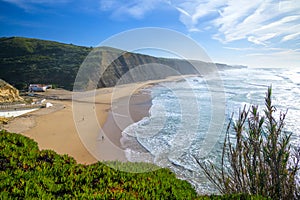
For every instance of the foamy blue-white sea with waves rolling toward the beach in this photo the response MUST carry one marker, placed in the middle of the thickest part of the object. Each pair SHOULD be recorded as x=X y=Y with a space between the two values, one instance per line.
x=182 y=113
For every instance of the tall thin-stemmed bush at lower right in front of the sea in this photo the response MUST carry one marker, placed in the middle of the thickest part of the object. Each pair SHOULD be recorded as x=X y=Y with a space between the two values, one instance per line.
x=257 y=157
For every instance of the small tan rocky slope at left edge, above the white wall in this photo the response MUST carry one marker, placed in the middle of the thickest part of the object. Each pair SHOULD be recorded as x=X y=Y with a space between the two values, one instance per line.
x=8 y=94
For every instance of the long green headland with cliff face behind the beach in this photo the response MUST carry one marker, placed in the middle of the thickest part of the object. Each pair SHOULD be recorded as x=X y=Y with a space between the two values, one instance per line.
x=24 y=61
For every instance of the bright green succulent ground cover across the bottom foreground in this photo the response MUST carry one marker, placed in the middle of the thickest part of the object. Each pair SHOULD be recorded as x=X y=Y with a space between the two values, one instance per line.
x=26 y=172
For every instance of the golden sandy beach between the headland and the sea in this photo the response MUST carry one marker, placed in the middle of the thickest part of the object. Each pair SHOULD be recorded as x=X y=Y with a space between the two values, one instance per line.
x=88 y=129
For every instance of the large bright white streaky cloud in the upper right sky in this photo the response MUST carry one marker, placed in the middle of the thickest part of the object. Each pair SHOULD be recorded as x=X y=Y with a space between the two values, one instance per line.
x=257 y=21
